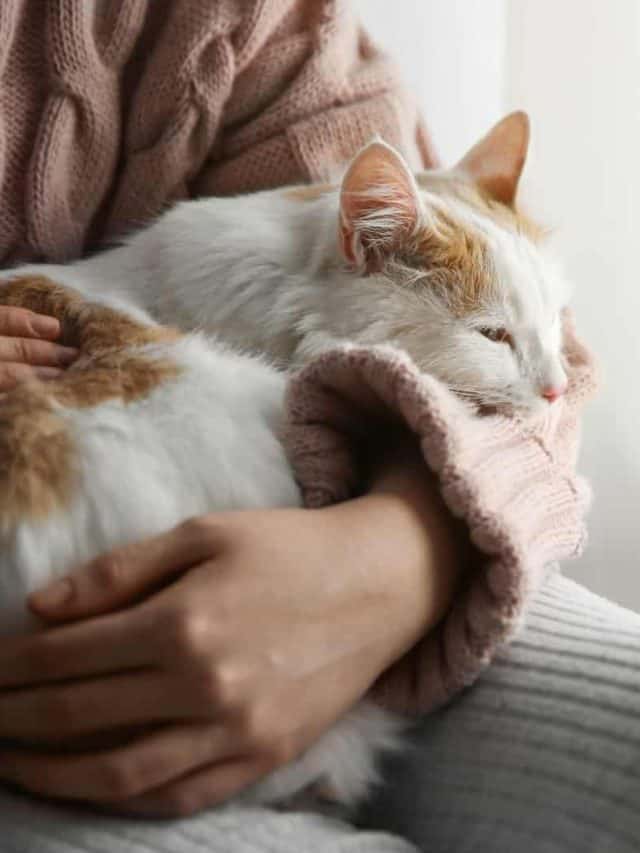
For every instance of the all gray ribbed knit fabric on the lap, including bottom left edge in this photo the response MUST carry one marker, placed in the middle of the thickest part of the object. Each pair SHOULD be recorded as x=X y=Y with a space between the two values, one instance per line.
x=542 y=755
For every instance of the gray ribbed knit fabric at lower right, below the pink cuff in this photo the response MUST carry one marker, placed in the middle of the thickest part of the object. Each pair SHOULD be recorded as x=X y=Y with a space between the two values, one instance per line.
x=542 y=755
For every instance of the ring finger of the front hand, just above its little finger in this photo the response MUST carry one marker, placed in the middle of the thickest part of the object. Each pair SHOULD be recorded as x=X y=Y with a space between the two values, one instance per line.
x=119 y=774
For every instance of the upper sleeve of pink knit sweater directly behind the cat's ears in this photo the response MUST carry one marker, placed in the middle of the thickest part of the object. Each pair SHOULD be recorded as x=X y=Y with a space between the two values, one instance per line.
x=310 y=89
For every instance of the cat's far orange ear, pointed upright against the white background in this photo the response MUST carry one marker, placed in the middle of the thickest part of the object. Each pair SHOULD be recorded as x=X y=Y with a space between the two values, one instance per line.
x=495 y=163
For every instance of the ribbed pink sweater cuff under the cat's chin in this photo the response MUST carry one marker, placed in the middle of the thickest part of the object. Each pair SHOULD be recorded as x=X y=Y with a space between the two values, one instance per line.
x=511 y=481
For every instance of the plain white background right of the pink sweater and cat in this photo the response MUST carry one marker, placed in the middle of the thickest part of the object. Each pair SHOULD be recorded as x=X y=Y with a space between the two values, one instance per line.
x=574 y=65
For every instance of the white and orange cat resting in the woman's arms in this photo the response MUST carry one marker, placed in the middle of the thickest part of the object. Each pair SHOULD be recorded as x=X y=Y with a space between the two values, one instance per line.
x=152 y=425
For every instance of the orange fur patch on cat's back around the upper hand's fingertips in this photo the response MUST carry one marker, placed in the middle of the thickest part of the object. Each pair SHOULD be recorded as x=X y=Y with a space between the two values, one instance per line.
x=37 y=454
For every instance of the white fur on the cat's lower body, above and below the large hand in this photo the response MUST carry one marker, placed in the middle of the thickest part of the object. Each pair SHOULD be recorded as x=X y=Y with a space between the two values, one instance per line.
x=205 y=441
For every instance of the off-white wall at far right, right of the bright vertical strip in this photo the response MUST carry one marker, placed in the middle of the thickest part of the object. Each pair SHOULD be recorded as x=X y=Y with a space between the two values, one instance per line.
x=575 y=66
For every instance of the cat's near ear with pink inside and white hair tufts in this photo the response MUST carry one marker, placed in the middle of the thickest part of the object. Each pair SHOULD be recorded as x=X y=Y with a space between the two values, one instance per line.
x=380 y=206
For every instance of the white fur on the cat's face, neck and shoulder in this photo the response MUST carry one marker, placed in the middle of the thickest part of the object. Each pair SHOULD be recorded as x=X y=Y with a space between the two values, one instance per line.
x=266 y=274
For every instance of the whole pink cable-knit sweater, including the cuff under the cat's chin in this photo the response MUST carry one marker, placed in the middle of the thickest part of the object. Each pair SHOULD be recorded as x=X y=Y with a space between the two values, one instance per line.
x=111 y=110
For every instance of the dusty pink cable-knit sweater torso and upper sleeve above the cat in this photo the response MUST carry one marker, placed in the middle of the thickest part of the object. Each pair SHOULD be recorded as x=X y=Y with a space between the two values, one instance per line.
x=112 y=110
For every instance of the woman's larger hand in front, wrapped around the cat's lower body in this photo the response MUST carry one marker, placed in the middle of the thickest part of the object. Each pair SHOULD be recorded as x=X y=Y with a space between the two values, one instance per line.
x=273 y=623
